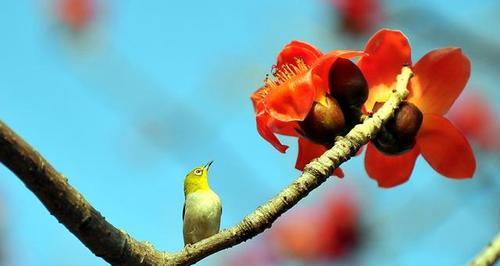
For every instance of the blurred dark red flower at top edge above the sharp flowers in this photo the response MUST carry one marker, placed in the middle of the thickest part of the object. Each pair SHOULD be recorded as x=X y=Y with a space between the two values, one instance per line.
x=359 y=16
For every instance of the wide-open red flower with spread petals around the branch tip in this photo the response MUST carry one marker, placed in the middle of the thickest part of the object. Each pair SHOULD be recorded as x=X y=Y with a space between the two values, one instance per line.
x=439 y=78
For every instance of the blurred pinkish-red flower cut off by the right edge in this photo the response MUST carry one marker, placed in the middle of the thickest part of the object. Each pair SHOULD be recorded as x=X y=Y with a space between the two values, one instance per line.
x=474 y=116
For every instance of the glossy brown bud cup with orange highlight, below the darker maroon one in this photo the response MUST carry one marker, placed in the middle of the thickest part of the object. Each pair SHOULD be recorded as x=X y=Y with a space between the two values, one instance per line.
x=324 y=122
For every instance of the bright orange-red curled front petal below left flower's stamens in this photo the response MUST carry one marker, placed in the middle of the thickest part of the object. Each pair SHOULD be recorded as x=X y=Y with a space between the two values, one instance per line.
x=292 y=99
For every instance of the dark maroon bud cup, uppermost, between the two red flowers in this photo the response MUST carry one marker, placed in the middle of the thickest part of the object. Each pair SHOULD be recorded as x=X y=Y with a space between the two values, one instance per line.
x=347 y=83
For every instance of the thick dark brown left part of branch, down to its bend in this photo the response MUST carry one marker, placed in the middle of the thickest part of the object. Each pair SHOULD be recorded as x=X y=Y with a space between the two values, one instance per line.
x=69 y=206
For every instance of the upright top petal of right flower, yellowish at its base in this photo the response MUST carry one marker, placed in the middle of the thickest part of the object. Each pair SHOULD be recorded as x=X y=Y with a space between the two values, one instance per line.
x=387 y=52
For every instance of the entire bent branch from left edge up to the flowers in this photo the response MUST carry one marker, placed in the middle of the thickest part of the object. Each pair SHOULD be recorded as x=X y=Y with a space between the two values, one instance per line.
x=118 y=248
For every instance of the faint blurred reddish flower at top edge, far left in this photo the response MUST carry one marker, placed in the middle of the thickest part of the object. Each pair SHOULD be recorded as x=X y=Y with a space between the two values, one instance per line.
x=76 y=14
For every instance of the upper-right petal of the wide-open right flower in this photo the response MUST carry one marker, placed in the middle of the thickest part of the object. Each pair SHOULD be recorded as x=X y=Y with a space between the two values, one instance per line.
x=440 y=77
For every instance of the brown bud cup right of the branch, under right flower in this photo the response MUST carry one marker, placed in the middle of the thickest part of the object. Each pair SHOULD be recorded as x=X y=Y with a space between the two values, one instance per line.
x=398 y=134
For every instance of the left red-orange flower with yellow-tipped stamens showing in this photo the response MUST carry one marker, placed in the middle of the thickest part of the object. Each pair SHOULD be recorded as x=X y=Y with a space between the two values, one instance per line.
x=300 y=81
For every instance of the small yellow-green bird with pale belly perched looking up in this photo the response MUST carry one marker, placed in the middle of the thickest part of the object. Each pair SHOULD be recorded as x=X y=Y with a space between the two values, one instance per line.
x=202 y=207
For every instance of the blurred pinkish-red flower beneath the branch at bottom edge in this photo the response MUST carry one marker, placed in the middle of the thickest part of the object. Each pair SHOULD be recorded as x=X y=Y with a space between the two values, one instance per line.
x=327 y=231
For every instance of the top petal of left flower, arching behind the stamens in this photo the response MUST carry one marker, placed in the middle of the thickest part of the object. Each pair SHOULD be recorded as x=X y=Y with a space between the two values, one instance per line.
x=296 y=50
